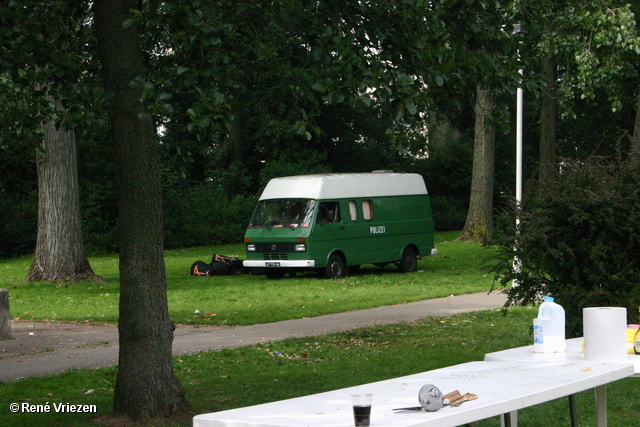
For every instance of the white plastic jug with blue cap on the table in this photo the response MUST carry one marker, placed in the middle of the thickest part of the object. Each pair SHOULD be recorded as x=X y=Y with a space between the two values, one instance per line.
x=548 y=328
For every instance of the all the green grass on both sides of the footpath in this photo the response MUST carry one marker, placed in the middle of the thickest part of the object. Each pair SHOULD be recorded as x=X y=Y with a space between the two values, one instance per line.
x=233 y=378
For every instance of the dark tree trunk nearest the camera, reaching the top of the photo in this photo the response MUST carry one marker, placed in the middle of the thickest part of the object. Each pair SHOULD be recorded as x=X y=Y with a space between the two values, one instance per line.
x=146 y=384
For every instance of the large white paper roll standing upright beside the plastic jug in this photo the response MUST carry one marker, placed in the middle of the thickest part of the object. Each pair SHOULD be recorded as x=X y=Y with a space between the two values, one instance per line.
x=605 y=333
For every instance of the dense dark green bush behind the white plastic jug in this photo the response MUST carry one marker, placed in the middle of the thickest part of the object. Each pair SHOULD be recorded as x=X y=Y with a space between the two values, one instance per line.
x=579 y=240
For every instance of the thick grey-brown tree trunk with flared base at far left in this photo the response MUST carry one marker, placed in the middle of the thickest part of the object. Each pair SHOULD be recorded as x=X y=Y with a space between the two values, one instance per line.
x=59 y=253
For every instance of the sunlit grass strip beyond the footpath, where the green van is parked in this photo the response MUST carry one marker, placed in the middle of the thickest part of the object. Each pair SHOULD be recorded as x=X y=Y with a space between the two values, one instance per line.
x=249 y=299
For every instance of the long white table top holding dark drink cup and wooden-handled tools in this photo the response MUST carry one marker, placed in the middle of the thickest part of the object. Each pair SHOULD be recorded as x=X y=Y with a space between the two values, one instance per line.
x=502 y=387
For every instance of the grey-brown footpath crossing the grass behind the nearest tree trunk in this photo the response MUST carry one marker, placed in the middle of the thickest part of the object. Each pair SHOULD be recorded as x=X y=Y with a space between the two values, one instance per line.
x=39 y=349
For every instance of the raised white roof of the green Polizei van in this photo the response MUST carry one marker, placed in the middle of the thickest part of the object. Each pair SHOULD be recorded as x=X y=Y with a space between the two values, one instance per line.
x=344 y=185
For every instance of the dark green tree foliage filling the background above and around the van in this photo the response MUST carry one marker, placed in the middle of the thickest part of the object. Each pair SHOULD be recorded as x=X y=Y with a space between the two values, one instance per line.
x=281 y=71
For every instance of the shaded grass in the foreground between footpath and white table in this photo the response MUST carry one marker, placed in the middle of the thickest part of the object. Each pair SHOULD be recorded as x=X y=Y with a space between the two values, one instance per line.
x=256 y=374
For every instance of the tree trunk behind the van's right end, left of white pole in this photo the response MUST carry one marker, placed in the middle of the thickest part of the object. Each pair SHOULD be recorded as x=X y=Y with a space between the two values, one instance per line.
x=479 y=223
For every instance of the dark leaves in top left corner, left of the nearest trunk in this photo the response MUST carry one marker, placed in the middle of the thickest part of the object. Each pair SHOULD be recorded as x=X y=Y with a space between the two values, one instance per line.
x=45 y=58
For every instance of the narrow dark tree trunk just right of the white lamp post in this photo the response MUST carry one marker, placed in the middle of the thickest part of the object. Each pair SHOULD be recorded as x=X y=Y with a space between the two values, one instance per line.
x=548 y=119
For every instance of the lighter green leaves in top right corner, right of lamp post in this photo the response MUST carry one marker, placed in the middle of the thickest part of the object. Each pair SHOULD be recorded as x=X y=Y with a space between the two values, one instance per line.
x=590 y=51
